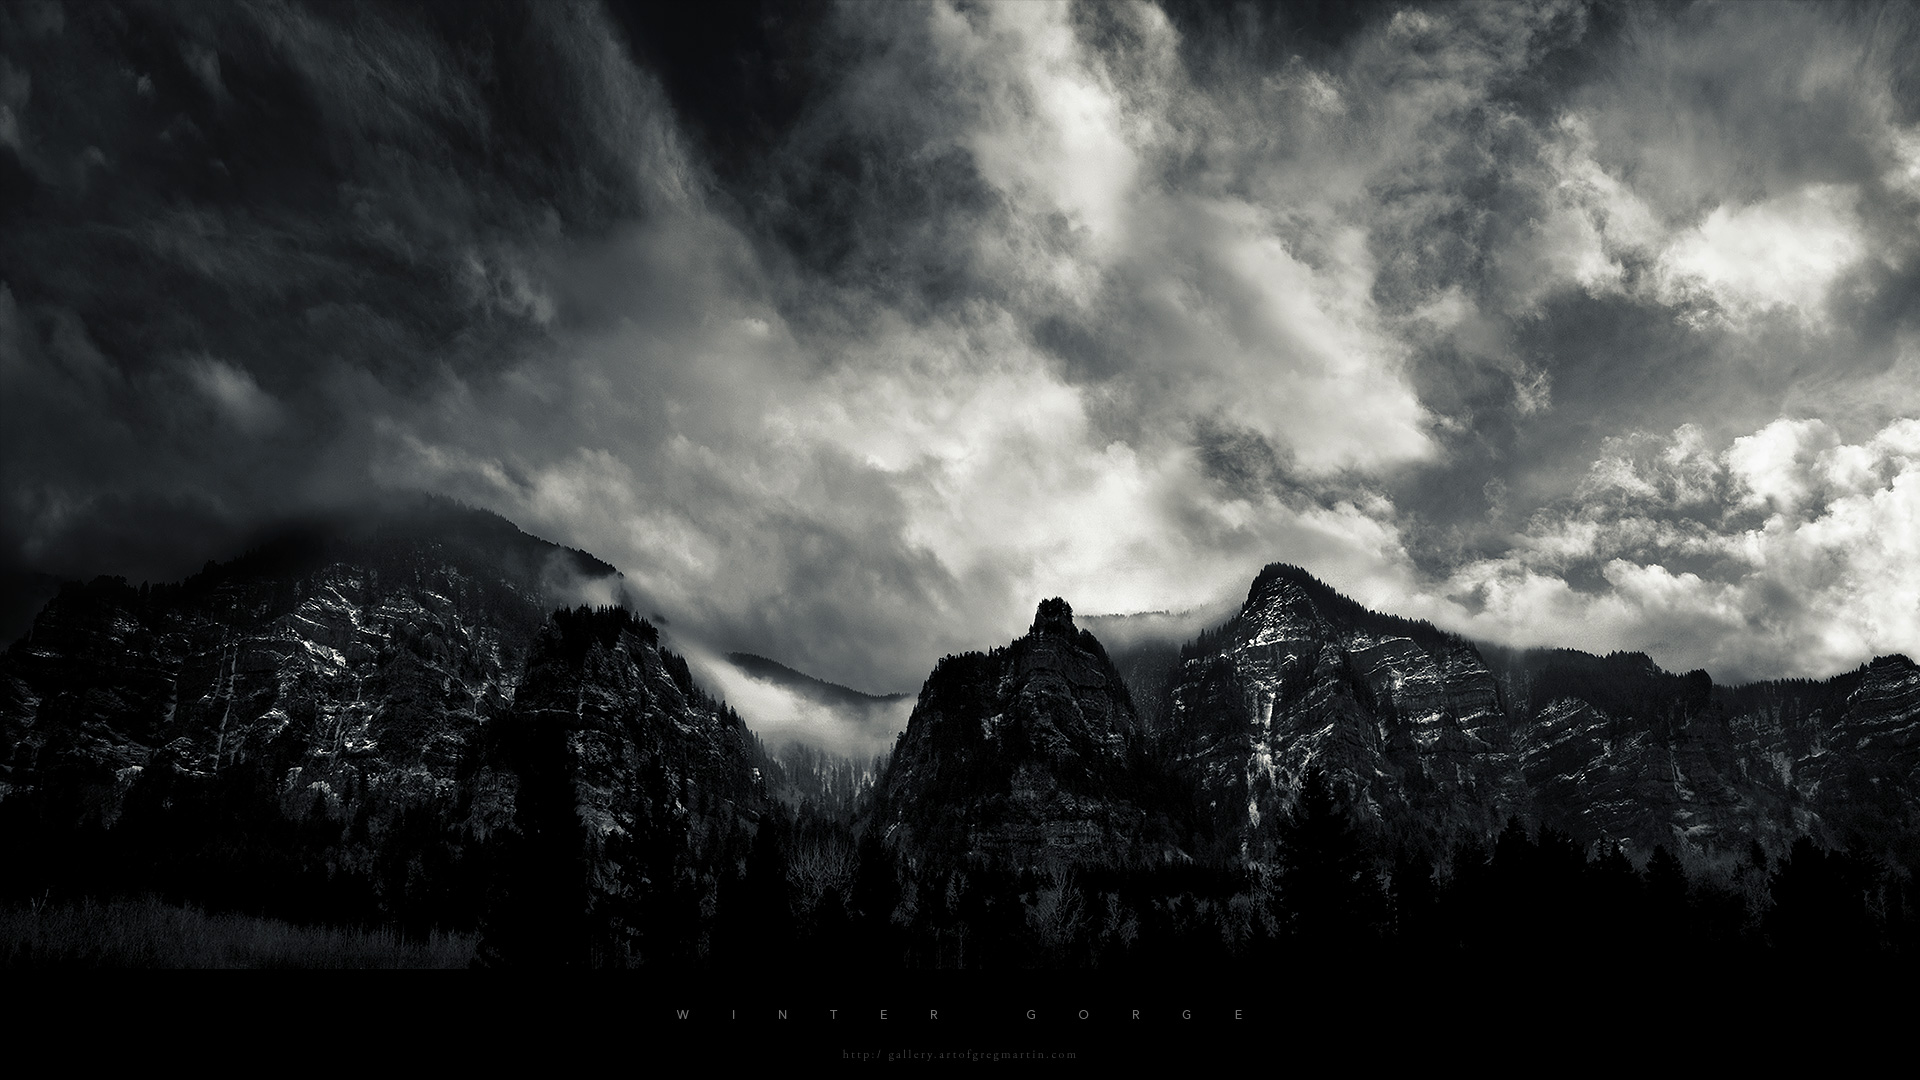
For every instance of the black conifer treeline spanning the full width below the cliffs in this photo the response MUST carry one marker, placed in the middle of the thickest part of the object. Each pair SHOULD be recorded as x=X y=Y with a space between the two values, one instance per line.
x=811 y=887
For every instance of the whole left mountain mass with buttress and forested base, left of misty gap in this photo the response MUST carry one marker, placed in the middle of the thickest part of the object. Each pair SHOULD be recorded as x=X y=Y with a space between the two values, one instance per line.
x=395 y=716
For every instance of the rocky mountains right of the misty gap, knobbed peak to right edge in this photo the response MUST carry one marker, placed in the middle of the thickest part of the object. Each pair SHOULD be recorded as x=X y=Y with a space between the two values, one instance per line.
x=1049 y=750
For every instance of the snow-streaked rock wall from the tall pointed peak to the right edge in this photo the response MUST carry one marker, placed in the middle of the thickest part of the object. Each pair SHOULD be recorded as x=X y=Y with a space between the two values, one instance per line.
x=1439 y=739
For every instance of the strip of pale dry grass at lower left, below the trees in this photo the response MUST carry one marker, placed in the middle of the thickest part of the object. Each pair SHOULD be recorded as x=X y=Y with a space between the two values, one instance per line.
x=156 y=935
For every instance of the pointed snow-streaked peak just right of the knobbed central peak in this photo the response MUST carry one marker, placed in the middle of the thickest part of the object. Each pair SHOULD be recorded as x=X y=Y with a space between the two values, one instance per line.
x=1408 y=718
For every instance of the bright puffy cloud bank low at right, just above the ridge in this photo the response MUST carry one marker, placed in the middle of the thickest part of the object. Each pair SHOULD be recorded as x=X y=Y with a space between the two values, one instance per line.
x=1825 y=583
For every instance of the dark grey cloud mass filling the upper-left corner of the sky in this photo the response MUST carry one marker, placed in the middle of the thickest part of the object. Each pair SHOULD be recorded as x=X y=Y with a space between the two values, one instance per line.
x=241 y=232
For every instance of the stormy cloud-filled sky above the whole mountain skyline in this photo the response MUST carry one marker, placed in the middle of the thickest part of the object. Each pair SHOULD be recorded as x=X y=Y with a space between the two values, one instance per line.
x=852 y=331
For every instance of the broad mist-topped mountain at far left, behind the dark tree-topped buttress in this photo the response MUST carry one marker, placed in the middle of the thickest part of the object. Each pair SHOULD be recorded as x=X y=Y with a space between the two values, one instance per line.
x=362 y=658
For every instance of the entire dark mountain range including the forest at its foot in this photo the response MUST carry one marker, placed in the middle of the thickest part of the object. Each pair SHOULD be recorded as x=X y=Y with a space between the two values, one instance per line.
x=406 y=718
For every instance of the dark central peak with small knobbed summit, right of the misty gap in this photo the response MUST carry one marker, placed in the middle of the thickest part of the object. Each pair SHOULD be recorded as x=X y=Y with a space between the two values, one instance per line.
x=1020 y=756
